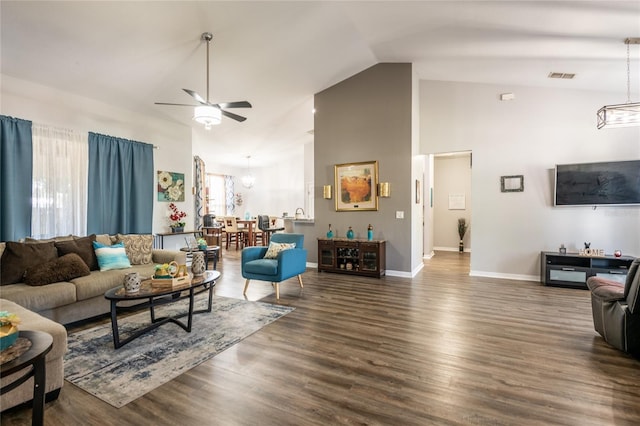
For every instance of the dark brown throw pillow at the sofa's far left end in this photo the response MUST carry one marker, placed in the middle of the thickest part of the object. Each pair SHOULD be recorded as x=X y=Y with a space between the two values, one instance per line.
x=18 y=257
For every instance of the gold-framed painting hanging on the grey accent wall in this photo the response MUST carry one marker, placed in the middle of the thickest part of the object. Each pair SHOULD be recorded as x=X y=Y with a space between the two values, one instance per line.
x=356 y=186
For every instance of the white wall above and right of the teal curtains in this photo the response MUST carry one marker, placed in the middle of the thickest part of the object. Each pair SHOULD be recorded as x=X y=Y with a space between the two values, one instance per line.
x=42 y=104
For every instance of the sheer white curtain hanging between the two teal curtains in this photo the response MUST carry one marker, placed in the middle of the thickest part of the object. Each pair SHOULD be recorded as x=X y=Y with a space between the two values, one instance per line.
x=60 y=170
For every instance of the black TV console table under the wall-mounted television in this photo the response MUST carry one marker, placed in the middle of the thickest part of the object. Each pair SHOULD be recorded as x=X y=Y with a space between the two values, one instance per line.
x=573 y=270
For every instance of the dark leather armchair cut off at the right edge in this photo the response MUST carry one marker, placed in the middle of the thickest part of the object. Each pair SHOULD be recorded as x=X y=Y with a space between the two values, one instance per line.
x=616 y=309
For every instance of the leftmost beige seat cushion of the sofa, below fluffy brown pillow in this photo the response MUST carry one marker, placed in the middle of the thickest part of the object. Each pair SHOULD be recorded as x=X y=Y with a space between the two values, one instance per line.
x=42 y=297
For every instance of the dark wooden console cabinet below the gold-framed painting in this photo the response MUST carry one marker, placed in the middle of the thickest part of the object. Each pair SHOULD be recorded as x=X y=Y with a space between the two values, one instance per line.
x=358 y=257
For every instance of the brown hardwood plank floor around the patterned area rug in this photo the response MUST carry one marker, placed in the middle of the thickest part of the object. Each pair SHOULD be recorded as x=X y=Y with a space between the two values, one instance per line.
x=443 y=349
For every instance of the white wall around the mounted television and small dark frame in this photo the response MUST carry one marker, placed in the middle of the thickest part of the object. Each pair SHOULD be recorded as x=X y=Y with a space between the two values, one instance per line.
x=528 y=136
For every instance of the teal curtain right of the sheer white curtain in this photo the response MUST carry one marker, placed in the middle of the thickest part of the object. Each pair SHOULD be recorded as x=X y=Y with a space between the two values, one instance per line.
x=120 y=187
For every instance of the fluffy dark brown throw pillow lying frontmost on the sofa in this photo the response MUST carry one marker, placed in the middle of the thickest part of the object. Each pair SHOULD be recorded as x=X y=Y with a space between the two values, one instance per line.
x=64 y=268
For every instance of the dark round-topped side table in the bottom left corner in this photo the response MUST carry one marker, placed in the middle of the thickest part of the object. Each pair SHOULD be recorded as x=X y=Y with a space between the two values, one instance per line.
x=33 y=359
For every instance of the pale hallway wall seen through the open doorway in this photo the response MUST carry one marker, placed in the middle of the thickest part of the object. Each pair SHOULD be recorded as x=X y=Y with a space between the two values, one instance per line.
x=452 y=176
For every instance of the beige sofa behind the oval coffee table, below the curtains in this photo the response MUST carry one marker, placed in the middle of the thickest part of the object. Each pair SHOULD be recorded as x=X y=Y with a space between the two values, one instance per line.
x=83 y=297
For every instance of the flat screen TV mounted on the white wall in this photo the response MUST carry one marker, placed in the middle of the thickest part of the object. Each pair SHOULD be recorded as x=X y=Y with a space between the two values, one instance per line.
x=611 y=183
